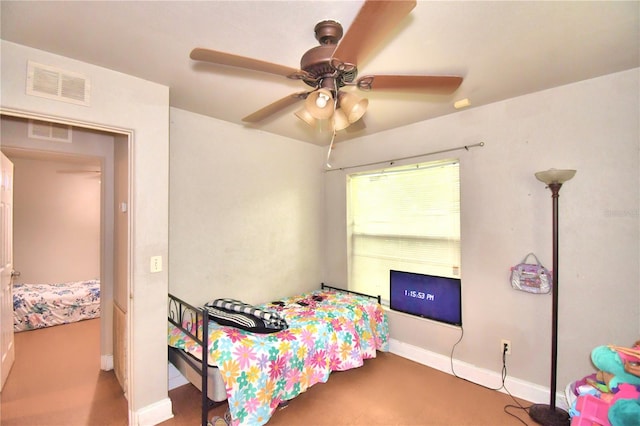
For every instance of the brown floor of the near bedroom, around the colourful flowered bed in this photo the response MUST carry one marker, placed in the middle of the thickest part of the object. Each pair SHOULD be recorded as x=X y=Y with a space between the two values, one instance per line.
x=387 y=390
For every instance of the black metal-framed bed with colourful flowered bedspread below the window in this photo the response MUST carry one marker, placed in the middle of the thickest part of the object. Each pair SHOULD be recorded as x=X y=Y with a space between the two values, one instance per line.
x=326 y=330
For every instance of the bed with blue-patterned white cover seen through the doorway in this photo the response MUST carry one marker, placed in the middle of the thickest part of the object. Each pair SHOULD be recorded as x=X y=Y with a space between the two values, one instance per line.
x=44 y=305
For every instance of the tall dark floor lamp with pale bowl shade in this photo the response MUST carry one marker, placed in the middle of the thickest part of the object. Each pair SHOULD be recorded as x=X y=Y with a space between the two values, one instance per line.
x=550 y=415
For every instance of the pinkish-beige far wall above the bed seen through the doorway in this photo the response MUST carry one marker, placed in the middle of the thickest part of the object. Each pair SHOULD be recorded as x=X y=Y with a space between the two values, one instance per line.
x=56 y=222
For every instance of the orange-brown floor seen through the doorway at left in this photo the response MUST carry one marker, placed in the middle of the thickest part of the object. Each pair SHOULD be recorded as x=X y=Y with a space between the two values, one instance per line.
x=56 y=380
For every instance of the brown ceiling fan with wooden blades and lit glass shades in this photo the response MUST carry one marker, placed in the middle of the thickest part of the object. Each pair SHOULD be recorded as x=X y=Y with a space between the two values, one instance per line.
x=333 y=64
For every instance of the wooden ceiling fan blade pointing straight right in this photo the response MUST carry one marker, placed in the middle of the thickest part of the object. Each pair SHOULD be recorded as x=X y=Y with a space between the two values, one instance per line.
x=441 y=85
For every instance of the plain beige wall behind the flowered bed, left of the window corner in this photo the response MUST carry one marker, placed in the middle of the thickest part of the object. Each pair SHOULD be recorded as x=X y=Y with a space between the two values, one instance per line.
x=245 y=214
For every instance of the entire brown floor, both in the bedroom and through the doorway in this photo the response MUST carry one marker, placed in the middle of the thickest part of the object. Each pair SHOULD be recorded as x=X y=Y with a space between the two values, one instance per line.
x=56 y=380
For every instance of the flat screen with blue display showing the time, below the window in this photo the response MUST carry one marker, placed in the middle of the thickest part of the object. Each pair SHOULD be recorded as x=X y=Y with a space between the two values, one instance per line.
x=427 y=296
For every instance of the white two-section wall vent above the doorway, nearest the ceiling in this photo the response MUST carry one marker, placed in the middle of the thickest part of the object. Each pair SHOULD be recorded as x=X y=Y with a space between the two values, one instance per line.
x=55 y=83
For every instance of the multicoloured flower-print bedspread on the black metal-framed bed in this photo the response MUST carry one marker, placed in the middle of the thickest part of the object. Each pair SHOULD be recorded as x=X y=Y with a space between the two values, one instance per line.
x=329 y=331
